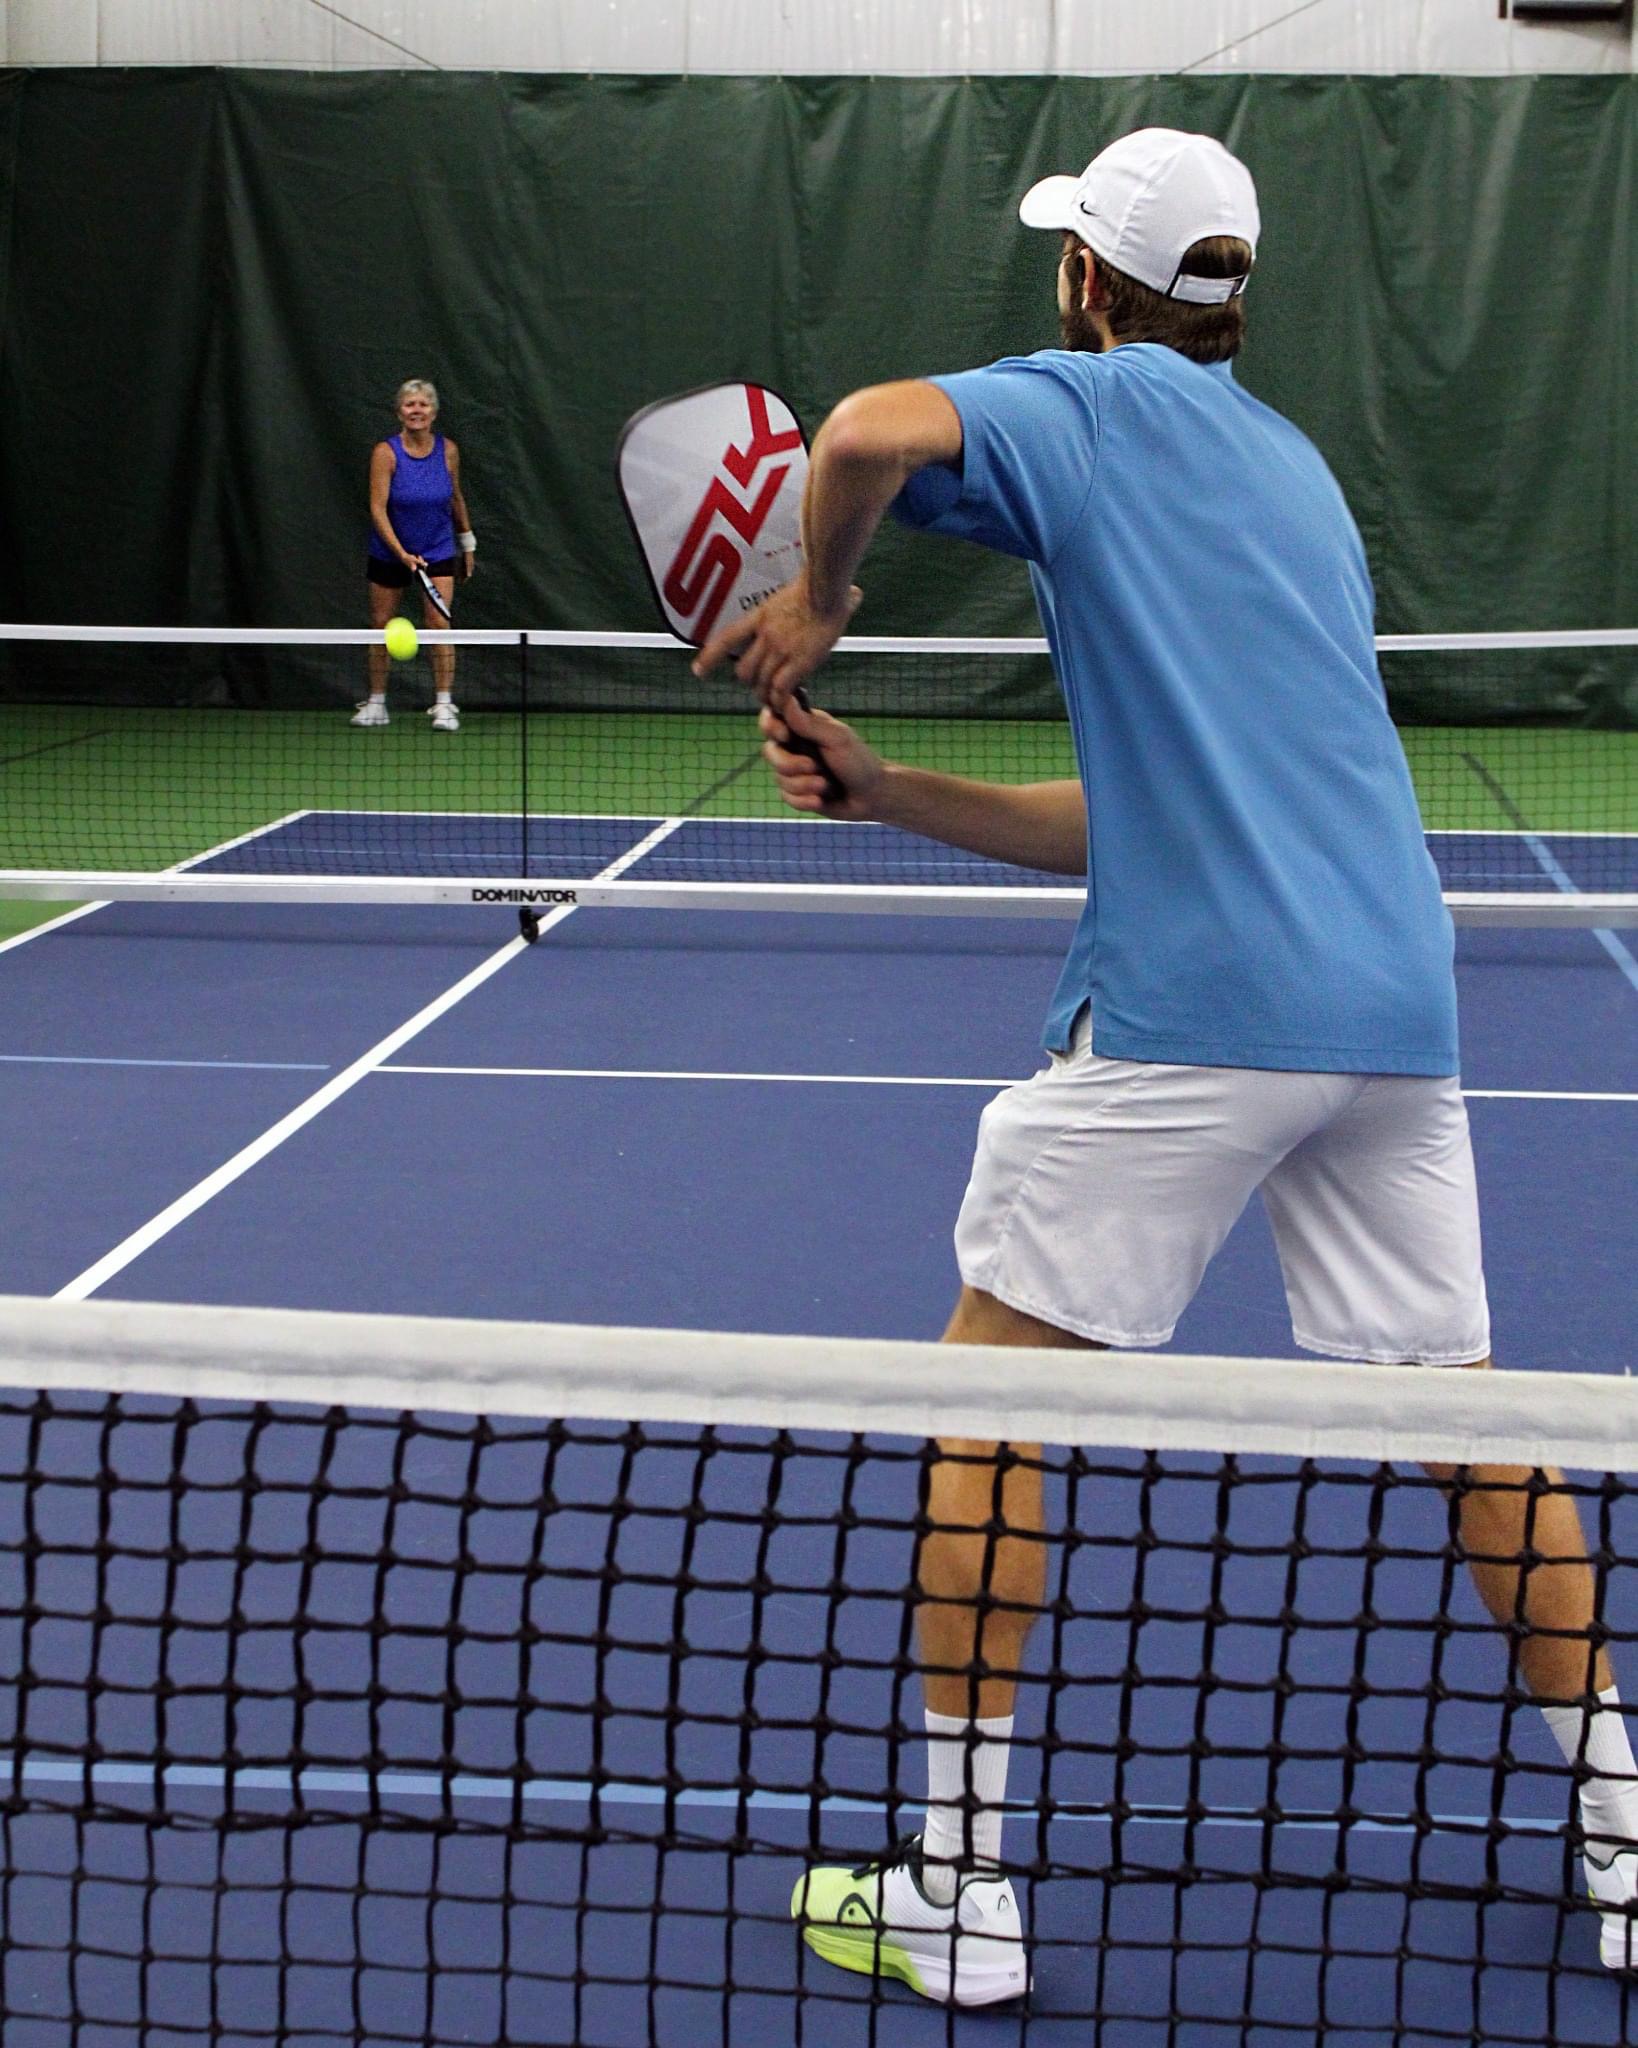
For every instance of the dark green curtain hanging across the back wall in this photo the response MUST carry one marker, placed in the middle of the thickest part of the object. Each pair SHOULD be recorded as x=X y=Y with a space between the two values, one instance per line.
x=214 y=282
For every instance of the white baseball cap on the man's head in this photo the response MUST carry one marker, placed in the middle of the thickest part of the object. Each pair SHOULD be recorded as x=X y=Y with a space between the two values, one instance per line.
x=1146 y=202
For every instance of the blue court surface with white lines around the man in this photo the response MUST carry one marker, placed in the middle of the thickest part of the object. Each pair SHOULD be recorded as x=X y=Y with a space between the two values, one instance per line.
x=742 y=1123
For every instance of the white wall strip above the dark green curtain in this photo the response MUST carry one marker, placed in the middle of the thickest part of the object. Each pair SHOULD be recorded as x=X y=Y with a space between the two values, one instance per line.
x=814 y=36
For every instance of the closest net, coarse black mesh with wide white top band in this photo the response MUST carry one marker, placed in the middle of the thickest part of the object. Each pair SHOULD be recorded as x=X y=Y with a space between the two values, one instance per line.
x=388 y=1680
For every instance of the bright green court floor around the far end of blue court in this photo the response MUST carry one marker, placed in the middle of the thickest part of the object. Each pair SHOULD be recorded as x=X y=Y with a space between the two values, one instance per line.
x=144 y=790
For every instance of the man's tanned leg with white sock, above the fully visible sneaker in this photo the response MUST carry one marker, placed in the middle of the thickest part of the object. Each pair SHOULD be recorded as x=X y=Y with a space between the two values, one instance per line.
x=982 y=1592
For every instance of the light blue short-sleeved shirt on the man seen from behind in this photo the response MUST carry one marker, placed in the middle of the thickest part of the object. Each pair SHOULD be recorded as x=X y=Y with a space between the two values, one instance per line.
x=1258 y=884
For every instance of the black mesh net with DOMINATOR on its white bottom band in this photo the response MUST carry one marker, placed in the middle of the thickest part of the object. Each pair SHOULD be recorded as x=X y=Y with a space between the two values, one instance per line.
x=597 y=769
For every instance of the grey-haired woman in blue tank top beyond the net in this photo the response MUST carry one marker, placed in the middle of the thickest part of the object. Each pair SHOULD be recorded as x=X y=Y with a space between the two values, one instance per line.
x=419 y=521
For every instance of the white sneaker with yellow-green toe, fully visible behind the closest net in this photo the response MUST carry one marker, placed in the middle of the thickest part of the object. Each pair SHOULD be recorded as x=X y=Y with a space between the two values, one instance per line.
x=877 y=1920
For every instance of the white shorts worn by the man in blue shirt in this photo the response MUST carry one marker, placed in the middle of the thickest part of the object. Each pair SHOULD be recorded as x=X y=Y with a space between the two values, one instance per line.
x=1103 y=1189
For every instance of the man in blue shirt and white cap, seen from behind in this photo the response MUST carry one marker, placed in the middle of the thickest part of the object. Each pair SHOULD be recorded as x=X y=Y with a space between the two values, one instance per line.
x=1260 y=988
